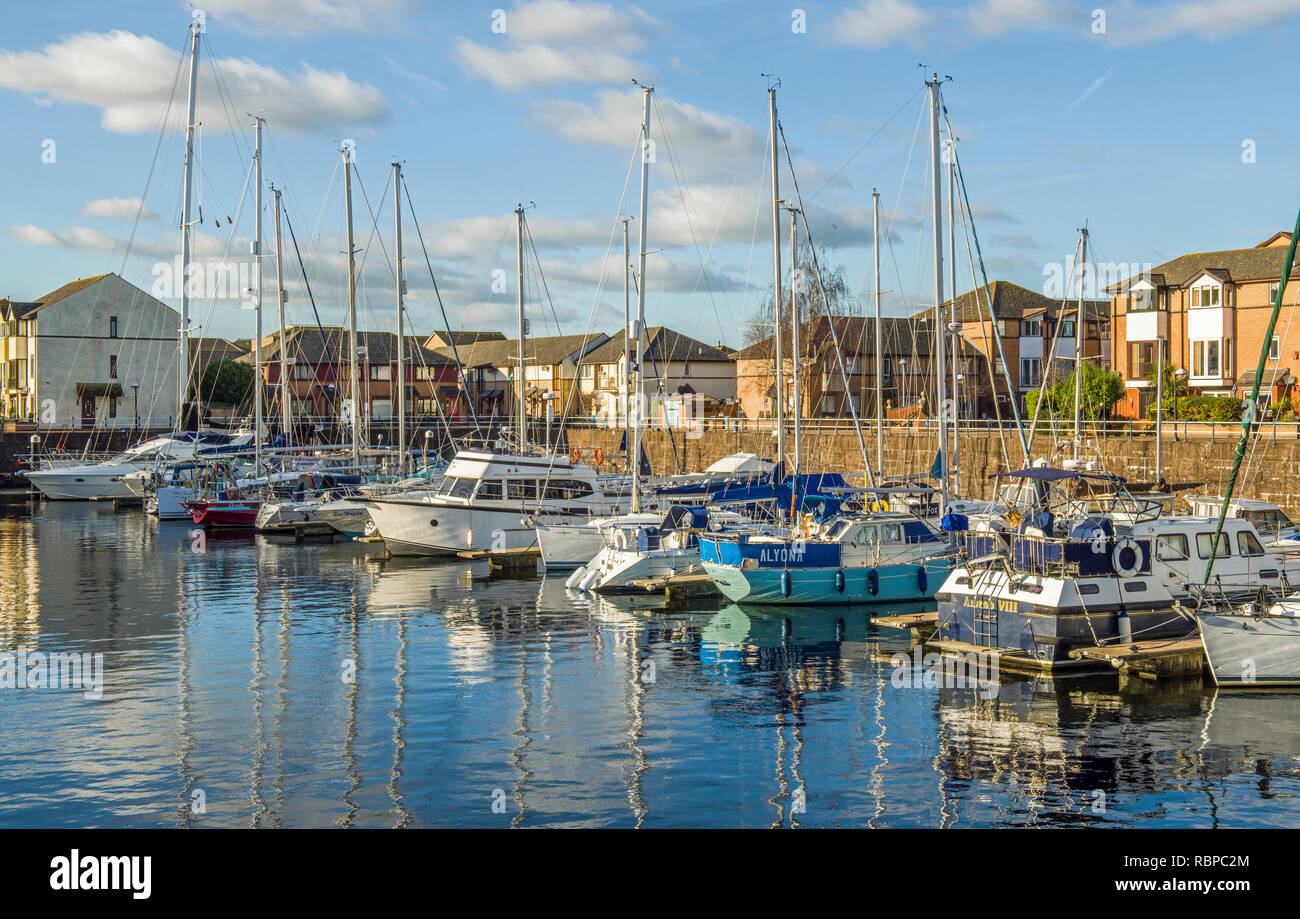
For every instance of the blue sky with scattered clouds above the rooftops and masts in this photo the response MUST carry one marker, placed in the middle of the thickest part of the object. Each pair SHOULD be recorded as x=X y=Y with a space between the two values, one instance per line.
x=1141 y=129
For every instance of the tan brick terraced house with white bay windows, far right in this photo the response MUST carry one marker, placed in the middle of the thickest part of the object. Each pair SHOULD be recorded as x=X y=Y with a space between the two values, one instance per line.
x=1208 y=313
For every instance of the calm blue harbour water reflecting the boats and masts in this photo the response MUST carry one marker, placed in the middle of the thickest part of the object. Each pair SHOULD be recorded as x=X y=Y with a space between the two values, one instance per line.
x=500 y=703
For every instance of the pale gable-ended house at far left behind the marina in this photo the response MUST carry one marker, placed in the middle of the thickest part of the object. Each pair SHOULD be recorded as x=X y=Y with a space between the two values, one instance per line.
x=96 y=353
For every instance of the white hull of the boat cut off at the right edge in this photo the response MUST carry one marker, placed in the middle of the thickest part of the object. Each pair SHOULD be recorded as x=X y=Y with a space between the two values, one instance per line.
x=1250 y=652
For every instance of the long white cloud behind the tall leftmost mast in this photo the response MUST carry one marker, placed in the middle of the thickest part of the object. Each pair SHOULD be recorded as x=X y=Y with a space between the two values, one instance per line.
x=129 y=79
